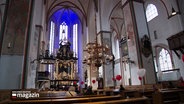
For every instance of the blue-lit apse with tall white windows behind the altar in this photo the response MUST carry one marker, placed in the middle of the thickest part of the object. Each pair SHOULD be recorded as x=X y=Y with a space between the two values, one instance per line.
x=64 y=25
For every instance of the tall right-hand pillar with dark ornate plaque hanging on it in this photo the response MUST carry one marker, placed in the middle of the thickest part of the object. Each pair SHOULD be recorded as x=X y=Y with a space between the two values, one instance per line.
x=139 y=51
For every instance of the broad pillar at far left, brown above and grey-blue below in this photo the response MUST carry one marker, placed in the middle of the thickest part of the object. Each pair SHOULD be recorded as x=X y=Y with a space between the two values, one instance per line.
x=15 y=44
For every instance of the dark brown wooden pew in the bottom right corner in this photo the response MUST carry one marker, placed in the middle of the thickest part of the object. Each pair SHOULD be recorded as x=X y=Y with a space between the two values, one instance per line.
x=168 y=96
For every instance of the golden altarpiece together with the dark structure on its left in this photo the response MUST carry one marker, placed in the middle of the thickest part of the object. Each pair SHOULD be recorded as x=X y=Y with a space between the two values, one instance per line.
x=62 y=68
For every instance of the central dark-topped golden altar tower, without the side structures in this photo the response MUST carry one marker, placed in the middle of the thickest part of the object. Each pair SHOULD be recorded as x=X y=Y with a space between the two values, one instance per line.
x=65 y=61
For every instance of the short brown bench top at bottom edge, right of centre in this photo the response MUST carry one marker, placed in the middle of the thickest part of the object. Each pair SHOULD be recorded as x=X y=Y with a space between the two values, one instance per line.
x=138 y=100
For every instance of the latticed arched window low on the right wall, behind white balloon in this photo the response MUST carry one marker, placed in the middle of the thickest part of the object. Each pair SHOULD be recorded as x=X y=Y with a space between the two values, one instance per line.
x=165 y=60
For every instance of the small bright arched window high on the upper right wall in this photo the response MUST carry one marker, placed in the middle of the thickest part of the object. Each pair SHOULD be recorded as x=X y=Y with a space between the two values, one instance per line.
x=151 y=12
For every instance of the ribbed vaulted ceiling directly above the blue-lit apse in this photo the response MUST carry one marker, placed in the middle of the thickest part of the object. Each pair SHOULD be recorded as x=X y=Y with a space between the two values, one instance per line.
x=80 y=7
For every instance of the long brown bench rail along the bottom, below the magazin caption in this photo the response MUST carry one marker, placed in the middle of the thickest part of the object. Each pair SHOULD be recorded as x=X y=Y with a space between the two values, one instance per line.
x=63 y=100
